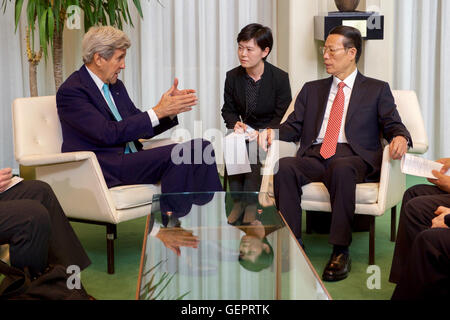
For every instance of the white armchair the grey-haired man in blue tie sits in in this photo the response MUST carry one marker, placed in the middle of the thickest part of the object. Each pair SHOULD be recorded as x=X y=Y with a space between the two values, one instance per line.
x=76 y=178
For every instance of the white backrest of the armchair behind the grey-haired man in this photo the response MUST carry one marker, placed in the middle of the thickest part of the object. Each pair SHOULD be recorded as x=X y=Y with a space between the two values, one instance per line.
x=36 y=127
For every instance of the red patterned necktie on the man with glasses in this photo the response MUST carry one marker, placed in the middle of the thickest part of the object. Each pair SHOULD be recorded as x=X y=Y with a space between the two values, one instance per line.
x=329 y=144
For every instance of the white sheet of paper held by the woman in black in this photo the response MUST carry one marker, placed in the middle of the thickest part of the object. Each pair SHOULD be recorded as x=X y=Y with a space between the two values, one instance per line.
x=236 y=157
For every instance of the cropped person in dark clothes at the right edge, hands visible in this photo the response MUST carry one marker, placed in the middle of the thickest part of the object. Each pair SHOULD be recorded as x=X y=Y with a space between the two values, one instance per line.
x=421 y=263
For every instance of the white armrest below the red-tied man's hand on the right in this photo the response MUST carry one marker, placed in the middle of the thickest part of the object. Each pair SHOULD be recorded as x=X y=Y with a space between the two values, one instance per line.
x=392 y=182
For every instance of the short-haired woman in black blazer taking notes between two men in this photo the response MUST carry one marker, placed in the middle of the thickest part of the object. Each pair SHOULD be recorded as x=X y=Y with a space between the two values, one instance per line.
x=257 y=95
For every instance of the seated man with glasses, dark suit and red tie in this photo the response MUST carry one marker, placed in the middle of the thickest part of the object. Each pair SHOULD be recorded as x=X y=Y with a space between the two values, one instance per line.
x=339 y=122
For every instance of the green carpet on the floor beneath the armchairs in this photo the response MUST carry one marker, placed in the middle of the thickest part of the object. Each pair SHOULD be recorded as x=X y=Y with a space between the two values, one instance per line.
x=122 y=285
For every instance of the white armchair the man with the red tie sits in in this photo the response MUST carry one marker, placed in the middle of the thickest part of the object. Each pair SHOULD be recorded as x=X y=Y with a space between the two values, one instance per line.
x=372 y=199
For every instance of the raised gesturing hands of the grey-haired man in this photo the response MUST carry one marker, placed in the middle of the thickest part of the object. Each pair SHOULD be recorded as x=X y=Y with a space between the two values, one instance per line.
x=175 y=101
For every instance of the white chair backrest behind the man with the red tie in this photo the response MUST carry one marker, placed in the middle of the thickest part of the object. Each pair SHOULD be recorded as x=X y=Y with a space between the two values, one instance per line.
x=409 y=110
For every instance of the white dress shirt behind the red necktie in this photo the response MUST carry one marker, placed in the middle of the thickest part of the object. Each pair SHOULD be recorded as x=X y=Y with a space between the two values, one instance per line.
x=349 y=83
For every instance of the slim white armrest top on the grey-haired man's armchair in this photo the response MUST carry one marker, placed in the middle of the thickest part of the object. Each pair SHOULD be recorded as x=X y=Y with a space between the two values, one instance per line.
x=57 y=158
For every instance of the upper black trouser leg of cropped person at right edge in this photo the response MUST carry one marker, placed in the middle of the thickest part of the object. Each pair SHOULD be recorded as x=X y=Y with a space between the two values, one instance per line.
x=418 y=207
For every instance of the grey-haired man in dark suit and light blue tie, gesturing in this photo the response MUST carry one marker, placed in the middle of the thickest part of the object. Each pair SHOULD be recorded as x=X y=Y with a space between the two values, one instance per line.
x=97 y=115
